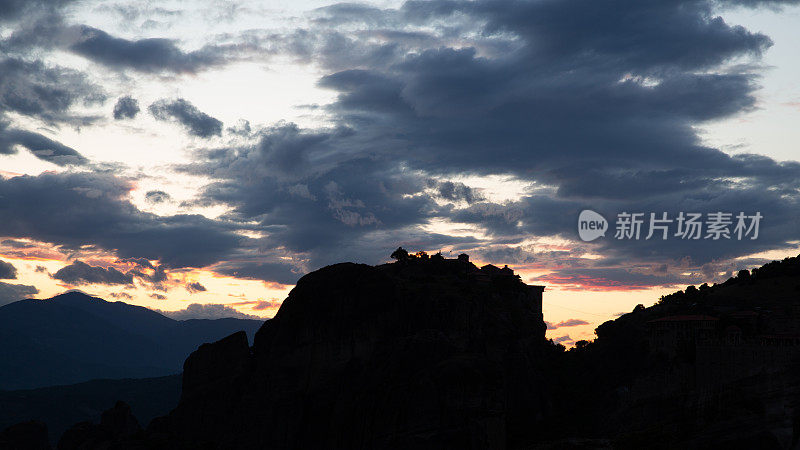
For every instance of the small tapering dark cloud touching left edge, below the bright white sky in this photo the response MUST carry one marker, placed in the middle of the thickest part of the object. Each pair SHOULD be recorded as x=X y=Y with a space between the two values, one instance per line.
x=41 y=146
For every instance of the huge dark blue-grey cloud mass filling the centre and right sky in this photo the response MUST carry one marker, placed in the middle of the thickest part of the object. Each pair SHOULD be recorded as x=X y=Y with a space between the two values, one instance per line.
x=596 y=102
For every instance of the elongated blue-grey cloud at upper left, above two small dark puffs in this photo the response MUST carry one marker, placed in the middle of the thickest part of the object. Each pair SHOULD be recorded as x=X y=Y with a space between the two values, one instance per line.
x=152 y=55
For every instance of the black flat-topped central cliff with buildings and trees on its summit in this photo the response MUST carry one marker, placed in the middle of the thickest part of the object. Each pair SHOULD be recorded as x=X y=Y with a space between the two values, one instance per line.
x=417 y=354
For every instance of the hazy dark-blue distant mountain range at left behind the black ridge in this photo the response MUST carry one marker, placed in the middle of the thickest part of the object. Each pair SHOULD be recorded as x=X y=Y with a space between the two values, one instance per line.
x=74 y=337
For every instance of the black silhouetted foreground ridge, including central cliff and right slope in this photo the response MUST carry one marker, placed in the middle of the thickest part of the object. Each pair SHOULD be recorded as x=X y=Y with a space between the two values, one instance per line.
x=431 y=353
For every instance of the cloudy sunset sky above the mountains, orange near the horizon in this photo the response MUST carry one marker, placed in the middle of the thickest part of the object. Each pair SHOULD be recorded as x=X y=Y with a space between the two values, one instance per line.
x=199 y=157
